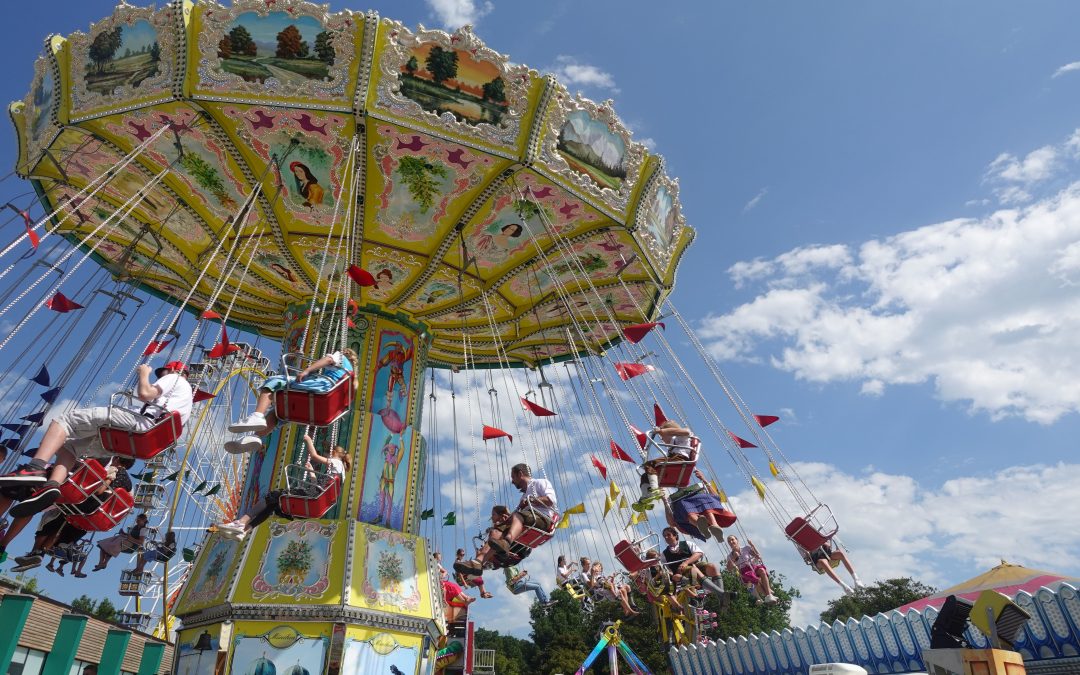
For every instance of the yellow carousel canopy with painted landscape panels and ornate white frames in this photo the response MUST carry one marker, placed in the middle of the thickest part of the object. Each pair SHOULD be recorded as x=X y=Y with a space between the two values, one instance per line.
x=255 y=152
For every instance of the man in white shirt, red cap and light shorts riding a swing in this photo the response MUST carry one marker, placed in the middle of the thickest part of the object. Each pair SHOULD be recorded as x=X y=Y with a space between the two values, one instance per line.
x=76 y=435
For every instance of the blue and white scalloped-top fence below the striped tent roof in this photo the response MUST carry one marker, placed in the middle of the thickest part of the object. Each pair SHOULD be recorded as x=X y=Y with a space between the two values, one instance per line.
x=886 y=643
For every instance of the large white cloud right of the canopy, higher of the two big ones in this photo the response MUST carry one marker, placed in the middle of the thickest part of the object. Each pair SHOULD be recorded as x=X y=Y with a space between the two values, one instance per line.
x=984 y=309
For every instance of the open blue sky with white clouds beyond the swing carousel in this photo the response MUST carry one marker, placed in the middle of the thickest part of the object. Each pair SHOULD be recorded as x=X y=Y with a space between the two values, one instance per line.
x=887 y=213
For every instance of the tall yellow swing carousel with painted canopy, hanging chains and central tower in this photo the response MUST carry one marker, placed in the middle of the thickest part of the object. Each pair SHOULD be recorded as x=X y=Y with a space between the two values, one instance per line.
x=498 y=252
